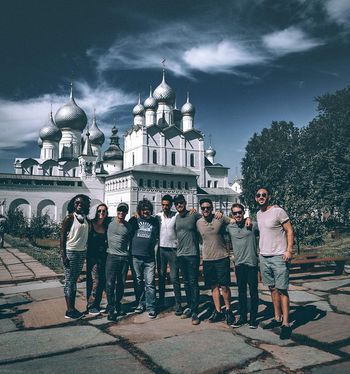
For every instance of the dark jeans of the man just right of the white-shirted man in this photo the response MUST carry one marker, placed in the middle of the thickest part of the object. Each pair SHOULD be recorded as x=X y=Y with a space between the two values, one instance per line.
x=189 y=266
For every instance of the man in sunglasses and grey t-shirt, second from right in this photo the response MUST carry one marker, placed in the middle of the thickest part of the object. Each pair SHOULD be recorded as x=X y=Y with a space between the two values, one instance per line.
x=244 y=246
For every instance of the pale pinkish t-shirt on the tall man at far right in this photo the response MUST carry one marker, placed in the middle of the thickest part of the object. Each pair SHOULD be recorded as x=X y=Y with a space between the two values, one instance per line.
x=273 y=240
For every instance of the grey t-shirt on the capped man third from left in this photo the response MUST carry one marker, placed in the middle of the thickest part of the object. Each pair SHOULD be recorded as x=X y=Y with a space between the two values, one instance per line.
x=118 y=236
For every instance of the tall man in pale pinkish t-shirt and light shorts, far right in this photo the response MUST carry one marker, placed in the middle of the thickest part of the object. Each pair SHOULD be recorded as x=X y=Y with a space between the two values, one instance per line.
x=276 y=247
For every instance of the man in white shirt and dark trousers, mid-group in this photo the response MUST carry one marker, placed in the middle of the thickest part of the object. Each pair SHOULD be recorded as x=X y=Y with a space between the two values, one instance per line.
x=167 y=253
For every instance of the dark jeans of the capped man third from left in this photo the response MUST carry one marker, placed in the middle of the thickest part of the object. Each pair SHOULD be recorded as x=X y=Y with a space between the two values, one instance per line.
x=116 y=273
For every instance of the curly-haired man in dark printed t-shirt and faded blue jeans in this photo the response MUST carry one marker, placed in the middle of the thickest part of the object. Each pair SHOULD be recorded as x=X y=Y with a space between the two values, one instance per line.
x=145 y=234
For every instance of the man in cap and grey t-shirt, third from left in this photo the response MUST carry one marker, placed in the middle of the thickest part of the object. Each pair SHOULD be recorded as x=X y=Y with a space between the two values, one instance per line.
x=117 y=264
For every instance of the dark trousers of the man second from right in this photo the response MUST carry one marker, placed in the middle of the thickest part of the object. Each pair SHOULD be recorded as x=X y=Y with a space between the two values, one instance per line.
x=247 y=275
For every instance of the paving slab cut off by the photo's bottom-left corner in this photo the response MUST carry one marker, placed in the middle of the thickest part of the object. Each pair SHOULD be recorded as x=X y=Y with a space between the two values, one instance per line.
x=102 y=360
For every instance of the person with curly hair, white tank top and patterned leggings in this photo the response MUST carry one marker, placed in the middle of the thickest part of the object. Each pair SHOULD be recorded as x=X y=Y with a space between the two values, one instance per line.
x=74 y=237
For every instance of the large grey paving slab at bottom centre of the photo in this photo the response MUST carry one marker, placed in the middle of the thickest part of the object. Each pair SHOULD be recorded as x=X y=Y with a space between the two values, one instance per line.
x=198 y=352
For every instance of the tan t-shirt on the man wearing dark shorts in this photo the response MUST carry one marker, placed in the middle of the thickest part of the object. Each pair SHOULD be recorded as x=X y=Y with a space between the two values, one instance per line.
x=214 y=247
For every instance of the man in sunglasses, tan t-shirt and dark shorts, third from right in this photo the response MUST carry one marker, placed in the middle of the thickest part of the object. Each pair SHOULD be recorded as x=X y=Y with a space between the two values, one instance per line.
x=216 y=260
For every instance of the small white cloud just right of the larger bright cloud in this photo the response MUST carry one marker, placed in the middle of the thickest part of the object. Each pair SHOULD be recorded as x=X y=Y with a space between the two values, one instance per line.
x=289 y=40
